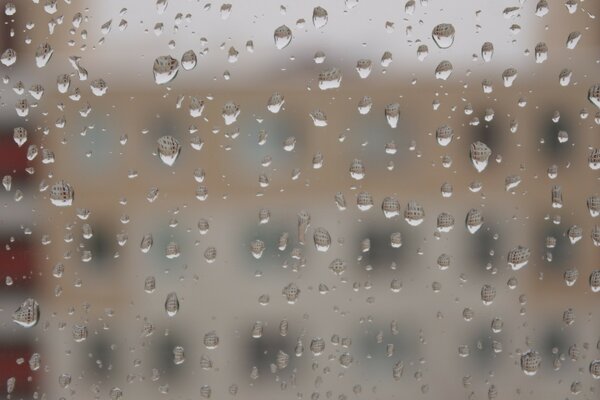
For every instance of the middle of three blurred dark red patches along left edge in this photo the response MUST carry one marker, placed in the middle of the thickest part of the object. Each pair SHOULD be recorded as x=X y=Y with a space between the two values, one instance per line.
x=16 y=263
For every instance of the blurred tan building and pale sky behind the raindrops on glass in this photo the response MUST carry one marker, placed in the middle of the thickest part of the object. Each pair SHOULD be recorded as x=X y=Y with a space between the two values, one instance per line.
x=109 y=156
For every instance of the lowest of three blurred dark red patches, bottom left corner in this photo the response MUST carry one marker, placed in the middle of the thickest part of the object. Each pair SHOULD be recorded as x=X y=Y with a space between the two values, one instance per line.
x=9 y=367
